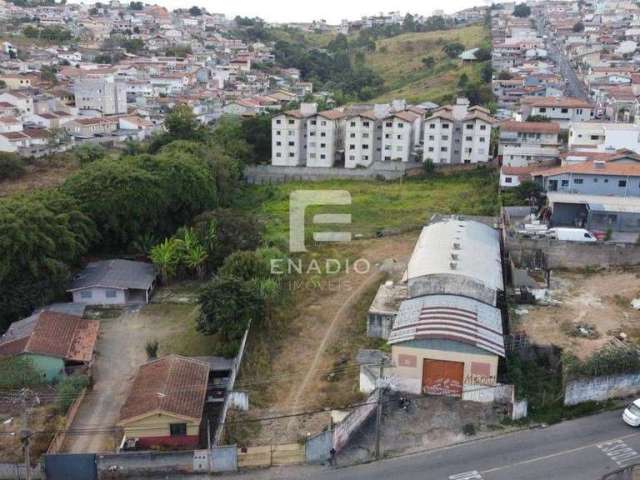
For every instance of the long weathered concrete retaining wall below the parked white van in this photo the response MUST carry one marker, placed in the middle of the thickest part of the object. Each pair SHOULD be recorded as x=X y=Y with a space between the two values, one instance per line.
x=561 y=254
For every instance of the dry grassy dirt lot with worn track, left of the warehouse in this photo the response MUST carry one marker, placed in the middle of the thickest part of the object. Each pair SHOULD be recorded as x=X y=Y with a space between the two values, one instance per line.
x=324 y=335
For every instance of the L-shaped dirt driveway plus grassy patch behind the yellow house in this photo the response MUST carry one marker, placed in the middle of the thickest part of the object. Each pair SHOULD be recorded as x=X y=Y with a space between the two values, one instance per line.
x=120 y=351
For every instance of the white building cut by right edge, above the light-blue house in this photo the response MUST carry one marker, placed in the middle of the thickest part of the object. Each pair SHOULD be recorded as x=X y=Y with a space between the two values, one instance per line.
x=602 y=137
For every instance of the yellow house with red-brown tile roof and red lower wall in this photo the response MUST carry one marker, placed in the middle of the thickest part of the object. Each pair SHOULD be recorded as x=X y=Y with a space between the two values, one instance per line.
x=165 y=404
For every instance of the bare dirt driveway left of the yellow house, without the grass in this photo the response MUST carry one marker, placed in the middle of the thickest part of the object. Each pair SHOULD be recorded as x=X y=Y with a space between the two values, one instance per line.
x=120 y=350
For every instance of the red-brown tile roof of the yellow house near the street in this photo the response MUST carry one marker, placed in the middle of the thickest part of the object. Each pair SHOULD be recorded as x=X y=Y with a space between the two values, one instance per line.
x=174 y=385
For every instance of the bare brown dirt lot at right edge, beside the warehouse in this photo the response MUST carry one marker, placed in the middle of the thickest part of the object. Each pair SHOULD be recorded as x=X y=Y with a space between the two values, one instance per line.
x=598 y=302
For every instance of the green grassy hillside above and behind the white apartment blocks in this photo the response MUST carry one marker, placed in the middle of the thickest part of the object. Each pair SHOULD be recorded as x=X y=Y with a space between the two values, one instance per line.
x=399 y=61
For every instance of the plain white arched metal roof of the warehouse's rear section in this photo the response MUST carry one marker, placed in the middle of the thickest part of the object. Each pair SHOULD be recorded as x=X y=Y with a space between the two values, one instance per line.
x=458 y=247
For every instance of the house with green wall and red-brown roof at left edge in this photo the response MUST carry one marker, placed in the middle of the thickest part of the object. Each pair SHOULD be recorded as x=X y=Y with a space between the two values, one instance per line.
x=54 y=342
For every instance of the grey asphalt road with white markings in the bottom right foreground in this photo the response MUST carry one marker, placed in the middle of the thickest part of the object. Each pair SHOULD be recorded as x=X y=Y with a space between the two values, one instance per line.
x=581 y=449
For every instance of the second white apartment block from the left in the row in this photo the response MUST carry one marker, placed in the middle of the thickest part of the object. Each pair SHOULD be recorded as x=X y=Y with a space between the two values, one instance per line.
x=325 y=137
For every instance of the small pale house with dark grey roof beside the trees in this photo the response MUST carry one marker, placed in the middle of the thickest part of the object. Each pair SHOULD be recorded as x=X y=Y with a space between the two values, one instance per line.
x=114 y=282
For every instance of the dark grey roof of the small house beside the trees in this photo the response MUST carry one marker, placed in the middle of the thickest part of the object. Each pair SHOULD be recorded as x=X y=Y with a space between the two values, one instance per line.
x=119 y=274
